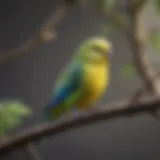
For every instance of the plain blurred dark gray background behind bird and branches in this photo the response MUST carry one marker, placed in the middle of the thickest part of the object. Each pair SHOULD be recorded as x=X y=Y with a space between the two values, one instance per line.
x=31 y=78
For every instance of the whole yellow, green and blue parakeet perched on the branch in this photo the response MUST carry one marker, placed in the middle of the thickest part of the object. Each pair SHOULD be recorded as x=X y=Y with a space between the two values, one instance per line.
x=84 y=80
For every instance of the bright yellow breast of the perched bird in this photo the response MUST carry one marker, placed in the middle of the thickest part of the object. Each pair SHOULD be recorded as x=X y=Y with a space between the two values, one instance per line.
x=95 y=80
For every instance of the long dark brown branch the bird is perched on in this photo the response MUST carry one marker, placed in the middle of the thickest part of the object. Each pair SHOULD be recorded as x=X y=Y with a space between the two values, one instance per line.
x=123 y=108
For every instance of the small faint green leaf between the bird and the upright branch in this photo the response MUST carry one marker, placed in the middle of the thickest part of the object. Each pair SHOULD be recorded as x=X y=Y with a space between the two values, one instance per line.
x=128 y=70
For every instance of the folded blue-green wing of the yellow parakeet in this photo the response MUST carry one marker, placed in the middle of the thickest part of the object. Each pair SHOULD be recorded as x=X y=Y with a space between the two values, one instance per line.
x=68 y=84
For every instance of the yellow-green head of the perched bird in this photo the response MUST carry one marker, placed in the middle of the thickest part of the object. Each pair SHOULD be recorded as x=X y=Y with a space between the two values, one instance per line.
x=95 y=50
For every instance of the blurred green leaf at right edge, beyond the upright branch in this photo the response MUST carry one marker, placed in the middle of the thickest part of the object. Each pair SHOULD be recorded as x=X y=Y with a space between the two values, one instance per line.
x=154 y=39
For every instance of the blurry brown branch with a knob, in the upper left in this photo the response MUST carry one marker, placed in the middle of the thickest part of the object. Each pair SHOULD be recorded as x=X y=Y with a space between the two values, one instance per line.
x=45 y=34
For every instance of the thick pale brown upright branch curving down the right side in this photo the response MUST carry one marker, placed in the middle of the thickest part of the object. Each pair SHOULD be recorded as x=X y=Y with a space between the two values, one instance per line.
x=145 y=71
